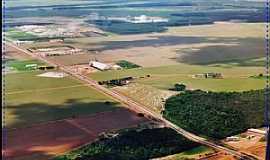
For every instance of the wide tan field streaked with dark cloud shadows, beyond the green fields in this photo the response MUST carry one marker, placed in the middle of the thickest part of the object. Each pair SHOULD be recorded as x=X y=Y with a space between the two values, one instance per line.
x=177 y=46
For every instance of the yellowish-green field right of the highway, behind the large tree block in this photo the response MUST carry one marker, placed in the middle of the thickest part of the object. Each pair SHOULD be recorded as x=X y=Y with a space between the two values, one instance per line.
x=235 y=78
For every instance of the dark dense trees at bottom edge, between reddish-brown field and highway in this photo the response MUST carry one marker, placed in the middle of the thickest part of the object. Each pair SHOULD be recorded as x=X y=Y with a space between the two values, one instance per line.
x=133 y=145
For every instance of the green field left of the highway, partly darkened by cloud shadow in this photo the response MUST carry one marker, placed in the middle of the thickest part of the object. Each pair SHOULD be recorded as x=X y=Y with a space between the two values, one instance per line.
x=30 y=99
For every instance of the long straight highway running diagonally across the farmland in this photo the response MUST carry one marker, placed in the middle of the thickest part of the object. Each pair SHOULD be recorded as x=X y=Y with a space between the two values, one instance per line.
x=137 y=107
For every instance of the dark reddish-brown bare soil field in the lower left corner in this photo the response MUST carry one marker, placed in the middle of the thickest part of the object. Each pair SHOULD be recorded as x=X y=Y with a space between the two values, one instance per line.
x=45 y=141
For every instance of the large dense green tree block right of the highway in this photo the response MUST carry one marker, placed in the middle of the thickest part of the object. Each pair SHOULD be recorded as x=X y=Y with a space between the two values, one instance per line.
x=216 y=115
